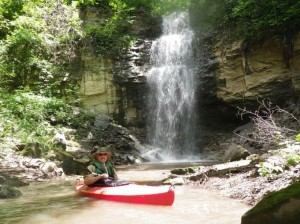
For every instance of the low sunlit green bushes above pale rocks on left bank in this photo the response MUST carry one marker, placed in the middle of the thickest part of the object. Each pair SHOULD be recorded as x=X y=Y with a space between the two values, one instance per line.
x=34 y=118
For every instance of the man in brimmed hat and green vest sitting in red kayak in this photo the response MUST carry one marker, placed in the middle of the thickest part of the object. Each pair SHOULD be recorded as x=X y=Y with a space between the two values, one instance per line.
x=102 y=169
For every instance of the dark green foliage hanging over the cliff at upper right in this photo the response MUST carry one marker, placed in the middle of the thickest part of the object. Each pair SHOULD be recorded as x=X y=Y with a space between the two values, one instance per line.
x=252 y=20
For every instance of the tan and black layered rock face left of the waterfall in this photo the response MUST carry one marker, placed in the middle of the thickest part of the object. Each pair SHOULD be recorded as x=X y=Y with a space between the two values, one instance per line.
x=116 y=86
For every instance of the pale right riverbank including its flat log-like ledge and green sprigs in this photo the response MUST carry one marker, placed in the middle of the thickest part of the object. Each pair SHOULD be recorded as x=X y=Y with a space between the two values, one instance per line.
x=248 y=180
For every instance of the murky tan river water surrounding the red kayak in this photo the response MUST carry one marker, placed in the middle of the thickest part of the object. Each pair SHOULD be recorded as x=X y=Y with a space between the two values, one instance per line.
x=56 y=202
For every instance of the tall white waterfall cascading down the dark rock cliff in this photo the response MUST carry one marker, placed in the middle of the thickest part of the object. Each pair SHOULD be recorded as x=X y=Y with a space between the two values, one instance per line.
x=171 y=102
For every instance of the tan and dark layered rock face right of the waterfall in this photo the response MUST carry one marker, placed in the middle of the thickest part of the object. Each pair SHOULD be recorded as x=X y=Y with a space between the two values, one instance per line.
x=231 y=75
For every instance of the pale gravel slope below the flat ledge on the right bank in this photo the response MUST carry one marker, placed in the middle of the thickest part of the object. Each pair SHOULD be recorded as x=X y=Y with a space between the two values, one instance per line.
x=246 y=186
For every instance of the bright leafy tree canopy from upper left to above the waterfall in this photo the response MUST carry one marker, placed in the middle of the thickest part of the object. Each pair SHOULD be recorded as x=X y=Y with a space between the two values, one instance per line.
x=39 y=38
